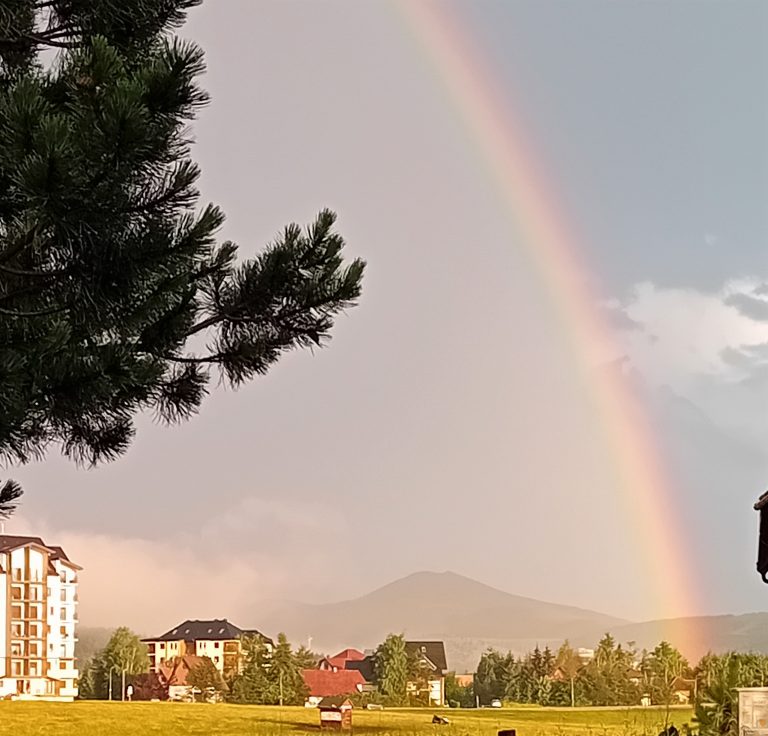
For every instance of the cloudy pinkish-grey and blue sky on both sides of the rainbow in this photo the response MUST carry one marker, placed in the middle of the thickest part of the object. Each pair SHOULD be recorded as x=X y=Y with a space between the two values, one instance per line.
x=446 y=426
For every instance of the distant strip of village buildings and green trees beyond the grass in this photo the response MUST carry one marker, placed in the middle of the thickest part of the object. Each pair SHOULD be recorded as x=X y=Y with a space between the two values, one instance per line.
x=215 y=659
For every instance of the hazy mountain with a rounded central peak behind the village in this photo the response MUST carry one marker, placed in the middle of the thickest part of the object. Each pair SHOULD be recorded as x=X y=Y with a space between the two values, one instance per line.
x=469 y=616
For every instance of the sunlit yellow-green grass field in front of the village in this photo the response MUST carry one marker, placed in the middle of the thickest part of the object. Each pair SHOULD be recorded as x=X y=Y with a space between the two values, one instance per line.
x=169 y=719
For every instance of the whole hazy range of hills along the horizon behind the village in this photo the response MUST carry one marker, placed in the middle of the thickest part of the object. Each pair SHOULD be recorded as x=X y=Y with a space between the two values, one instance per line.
x=470 y=617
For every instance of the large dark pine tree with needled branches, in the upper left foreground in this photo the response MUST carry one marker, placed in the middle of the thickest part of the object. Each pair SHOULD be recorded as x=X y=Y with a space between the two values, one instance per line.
x=115 y=296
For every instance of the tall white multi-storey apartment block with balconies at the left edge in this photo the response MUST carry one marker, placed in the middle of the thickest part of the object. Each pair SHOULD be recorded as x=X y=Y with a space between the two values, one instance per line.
x=38 y=615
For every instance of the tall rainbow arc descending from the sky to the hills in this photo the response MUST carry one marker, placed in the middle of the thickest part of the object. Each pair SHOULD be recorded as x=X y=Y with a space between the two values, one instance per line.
x=529 y=200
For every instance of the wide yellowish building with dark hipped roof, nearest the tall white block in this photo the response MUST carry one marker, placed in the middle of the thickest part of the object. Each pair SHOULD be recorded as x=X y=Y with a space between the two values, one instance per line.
x=217 y=639
